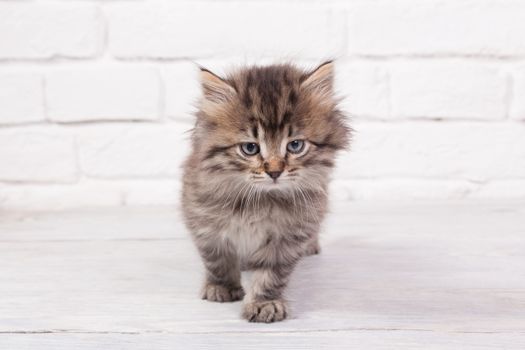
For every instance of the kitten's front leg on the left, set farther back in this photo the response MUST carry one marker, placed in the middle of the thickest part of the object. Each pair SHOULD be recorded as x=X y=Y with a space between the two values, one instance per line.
x=223 y=275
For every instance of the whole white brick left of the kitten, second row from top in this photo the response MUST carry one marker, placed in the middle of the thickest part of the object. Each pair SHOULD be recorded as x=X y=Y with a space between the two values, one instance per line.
x=112 y=93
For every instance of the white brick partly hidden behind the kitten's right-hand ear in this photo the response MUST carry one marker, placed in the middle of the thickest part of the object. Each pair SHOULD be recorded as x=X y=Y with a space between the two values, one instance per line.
x=364 y=88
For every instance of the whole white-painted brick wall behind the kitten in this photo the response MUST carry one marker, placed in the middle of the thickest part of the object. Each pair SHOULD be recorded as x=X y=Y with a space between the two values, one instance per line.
x=96 y=96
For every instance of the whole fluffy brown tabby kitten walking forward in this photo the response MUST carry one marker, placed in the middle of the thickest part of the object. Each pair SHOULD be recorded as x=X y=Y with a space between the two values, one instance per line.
x=255 y=184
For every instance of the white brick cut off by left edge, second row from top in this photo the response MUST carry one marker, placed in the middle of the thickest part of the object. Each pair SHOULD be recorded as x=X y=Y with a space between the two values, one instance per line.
x=21 y=98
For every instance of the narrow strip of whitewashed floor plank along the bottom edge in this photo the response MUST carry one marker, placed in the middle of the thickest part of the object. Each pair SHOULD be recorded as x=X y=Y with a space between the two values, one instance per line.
x=360 y=339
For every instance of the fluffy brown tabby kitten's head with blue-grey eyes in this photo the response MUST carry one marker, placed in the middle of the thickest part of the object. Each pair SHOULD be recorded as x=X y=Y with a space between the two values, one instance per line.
x=276 y=128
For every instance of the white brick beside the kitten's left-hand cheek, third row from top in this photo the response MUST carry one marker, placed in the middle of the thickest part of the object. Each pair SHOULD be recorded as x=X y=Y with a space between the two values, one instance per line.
x=133 y=151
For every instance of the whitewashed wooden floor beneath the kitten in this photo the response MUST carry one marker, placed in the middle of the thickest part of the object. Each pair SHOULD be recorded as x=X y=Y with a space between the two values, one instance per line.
x=391 y=276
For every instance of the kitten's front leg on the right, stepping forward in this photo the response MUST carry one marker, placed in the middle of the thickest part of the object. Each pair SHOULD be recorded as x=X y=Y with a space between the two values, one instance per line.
x=264 y=302
